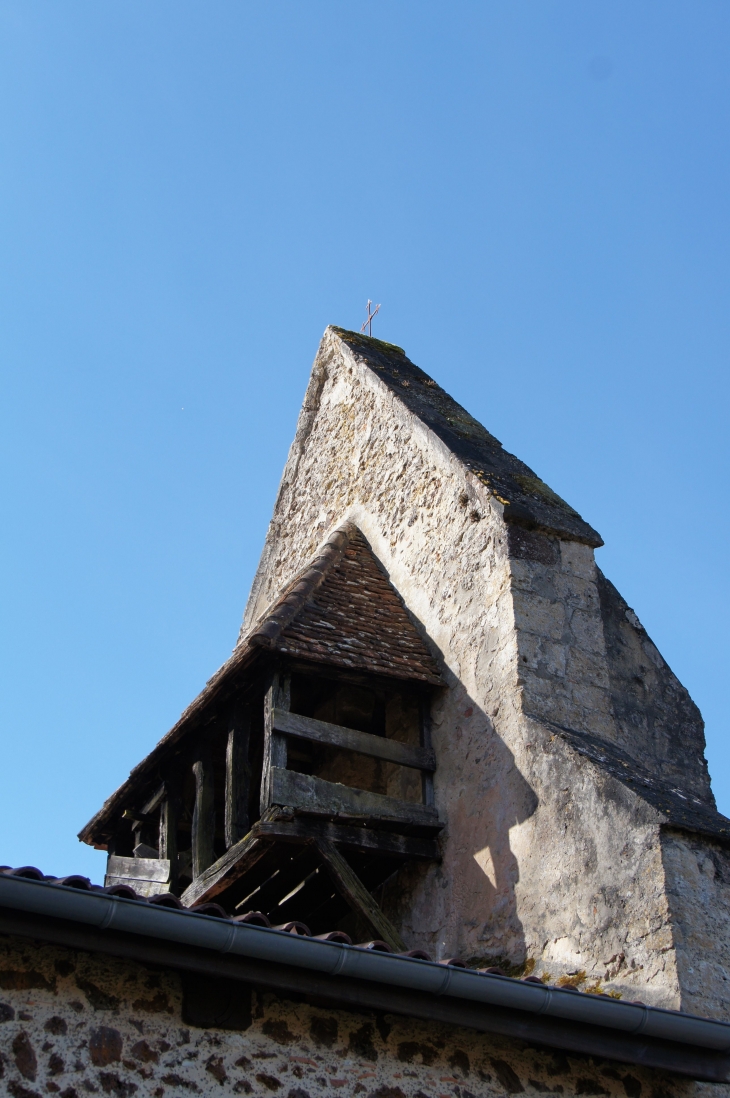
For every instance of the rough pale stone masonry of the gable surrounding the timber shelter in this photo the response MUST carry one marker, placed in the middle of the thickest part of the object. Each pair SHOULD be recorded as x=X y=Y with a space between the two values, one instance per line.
x=552 y=861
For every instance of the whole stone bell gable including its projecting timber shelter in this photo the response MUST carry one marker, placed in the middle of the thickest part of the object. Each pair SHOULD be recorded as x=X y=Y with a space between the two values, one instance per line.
x=441 y=724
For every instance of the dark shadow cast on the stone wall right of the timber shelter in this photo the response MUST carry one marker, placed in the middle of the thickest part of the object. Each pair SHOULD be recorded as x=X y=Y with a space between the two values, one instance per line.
x=468 y=905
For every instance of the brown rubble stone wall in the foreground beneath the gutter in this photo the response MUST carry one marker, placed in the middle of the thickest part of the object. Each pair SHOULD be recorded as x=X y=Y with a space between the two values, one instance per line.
x=75 y=1024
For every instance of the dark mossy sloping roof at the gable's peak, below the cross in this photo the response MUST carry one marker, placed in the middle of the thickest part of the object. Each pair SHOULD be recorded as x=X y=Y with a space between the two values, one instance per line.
x=527 y=500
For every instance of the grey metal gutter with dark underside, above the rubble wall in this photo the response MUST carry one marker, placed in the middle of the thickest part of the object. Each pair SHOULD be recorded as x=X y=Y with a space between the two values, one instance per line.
x=436 y=982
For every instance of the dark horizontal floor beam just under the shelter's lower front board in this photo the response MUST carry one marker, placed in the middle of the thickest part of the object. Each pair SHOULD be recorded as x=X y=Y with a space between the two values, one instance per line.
x=306 y=830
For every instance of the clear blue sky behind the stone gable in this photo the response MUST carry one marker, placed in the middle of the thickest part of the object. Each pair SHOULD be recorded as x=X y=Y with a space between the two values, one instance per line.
x=540 y=196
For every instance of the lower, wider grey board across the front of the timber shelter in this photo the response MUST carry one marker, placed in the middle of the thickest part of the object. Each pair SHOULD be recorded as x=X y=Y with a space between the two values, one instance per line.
x=318 y=798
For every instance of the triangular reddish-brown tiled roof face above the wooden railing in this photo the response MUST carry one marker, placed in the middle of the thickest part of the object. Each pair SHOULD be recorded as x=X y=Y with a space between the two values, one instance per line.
x=343 y=610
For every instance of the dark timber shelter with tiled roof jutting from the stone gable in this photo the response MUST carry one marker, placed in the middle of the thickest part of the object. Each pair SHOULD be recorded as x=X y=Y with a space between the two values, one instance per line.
x=304 y=786
